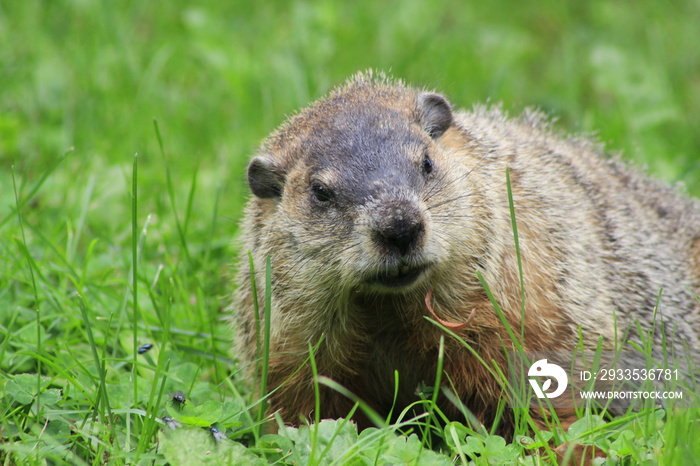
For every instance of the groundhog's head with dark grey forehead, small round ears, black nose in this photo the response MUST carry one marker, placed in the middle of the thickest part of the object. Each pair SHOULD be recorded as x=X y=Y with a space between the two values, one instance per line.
x=358 y=188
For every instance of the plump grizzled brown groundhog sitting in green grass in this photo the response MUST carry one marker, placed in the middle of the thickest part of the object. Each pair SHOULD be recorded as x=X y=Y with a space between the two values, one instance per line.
x=380 y=207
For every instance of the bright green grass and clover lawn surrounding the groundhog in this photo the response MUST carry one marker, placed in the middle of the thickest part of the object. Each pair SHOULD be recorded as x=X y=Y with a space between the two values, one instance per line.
x=103 y=250
